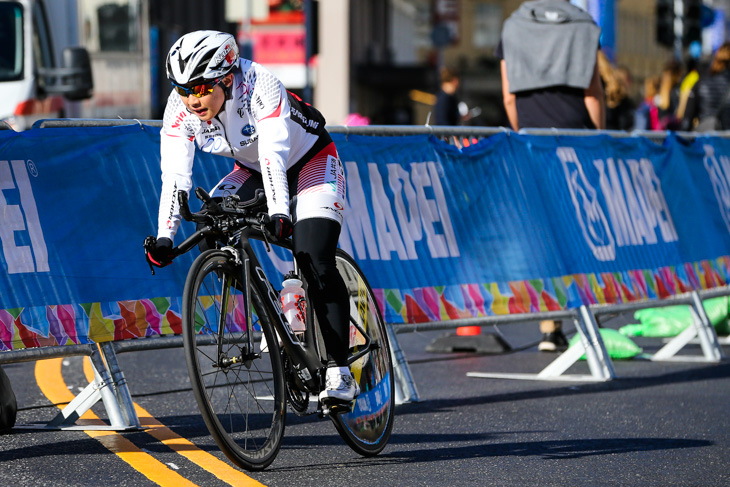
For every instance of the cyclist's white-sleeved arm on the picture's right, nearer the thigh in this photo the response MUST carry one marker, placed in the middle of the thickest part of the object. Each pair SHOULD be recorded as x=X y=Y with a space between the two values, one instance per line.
x=271 y=110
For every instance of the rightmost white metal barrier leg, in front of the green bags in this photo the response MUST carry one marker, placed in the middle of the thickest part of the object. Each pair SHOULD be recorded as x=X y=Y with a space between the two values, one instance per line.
x=700 y=328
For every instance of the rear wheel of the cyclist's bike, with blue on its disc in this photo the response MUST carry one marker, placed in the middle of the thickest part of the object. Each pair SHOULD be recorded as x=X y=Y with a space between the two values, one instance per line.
x=367 y=428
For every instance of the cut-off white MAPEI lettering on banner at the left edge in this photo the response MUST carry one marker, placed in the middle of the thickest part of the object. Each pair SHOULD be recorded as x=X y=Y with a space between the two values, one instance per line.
x=23 y=245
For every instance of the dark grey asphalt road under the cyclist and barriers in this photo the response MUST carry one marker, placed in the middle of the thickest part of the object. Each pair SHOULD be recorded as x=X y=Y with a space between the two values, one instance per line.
x=658 y=424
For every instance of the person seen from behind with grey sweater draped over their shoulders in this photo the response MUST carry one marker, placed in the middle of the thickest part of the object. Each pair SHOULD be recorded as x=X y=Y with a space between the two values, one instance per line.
x=550 y=79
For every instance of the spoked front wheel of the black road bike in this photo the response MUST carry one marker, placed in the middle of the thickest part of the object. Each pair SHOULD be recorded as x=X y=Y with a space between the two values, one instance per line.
x=239 y=390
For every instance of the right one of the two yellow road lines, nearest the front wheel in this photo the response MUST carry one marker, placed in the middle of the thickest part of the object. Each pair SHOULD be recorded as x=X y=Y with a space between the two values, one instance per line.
x=184 y=447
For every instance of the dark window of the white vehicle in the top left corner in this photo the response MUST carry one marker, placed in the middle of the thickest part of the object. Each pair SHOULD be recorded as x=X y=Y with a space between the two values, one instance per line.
x=11 y=41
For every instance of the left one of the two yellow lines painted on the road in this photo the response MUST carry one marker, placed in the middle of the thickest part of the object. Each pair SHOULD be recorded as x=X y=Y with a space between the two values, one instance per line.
x=50 y=380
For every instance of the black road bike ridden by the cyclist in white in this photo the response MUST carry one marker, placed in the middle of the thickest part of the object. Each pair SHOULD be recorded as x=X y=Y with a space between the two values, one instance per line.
x=230 y=306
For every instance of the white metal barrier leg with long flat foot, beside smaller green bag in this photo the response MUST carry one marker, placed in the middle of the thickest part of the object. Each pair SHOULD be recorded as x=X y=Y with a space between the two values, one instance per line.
x=591 y=344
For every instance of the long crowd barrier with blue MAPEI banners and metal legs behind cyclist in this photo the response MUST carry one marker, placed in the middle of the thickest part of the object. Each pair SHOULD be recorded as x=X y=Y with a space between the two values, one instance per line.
x=453 y=227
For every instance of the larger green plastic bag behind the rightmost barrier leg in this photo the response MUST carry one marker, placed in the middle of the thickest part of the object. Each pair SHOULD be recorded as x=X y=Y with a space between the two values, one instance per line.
x=670 y=321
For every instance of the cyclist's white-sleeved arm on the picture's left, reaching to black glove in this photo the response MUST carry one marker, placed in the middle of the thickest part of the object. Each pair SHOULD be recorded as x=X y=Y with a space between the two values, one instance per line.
x=177 y=152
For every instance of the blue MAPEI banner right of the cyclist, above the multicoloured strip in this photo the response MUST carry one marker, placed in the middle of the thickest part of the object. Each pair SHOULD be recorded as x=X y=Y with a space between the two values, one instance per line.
x=517 y=207
